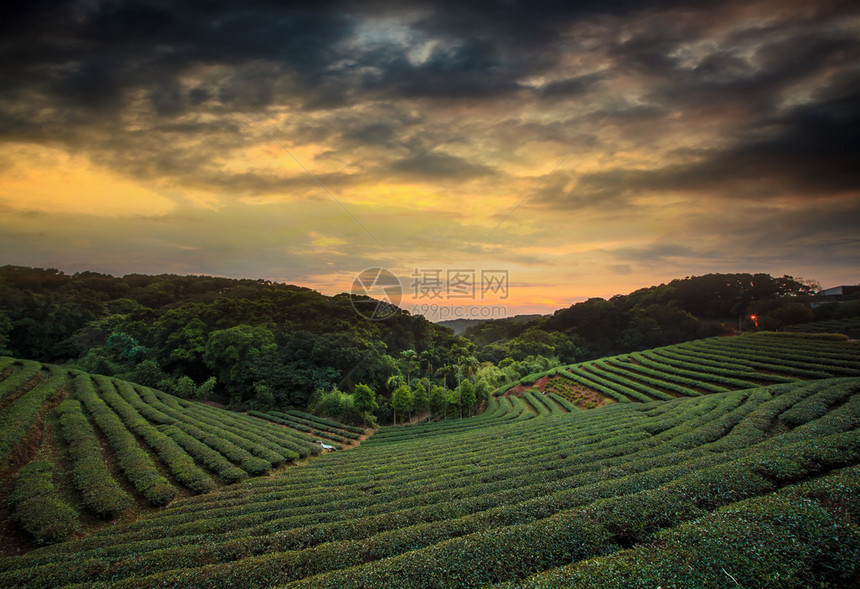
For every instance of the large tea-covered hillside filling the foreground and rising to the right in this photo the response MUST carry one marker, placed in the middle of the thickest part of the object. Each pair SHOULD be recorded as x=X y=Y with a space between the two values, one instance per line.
x=753 y=486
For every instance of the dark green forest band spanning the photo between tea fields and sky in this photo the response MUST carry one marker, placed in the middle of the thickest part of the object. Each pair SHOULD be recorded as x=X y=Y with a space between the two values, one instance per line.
x=260 y=345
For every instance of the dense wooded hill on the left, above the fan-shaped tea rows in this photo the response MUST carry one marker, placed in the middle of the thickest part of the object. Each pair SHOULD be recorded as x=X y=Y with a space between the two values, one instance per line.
x=249 y=343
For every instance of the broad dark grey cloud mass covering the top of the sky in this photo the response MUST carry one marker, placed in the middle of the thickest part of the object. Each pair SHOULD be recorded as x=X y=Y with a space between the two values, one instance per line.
x=156 y=88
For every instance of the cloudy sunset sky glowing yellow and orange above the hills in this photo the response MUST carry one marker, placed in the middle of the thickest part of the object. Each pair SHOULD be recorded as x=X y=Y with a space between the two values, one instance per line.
x=582 y=148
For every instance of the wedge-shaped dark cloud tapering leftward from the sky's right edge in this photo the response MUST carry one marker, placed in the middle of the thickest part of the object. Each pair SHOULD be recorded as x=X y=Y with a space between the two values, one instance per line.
x=811 y=150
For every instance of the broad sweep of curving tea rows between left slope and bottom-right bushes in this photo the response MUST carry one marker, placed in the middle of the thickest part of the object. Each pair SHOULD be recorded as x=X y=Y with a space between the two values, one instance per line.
x=499 y=500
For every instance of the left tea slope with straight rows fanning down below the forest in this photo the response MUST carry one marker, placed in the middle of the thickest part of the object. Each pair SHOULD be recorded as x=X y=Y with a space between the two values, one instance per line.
x=77 y=450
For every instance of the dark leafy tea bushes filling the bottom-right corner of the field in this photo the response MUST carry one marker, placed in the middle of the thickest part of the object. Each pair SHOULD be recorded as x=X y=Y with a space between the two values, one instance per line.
x=792 y=538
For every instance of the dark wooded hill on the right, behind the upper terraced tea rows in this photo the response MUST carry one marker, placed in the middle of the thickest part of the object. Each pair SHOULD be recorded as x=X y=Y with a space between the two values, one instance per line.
x=682 y=310
